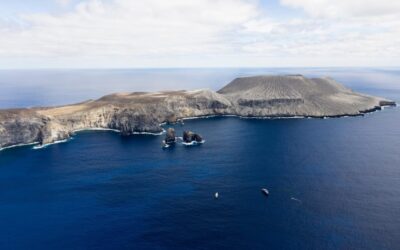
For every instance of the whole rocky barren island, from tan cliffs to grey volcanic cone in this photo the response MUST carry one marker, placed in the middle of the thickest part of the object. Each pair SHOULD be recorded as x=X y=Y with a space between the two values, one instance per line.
x=264 y=96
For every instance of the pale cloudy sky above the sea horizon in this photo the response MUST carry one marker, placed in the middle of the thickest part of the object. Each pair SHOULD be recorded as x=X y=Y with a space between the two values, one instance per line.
x=199 y=33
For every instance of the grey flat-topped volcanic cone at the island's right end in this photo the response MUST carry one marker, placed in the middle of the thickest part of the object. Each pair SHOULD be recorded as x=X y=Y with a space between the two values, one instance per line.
x=296 y=95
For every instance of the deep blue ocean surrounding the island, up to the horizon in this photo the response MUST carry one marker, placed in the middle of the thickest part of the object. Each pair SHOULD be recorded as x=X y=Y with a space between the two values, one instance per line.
x=104 y=191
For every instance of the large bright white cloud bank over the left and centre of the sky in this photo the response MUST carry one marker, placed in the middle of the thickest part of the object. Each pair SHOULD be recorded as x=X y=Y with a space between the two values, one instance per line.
x=130 y=27
